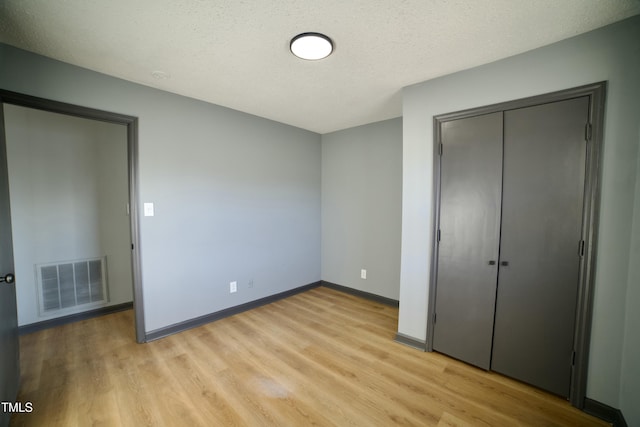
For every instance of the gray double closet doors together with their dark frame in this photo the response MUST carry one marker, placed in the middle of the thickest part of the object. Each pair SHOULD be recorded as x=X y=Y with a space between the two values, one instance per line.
x=516 y=197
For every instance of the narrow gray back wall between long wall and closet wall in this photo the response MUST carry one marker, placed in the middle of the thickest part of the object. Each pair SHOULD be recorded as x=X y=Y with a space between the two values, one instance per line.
x=361 y=207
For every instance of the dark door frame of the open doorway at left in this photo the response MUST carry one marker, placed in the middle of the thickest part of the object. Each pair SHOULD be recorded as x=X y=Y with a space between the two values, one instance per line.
x=8 y=97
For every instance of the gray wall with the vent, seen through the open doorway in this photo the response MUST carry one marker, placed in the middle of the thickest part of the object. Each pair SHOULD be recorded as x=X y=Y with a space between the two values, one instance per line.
x=68 y=184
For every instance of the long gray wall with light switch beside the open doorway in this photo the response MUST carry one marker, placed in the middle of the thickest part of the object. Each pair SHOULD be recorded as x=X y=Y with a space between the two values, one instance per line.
x=237 y=197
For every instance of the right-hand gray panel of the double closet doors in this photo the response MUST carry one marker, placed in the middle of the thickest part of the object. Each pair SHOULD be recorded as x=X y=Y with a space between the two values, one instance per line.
x=543 y=187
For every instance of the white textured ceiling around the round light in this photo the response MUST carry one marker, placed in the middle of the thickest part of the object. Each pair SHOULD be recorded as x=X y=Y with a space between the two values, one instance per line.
x=235 y=53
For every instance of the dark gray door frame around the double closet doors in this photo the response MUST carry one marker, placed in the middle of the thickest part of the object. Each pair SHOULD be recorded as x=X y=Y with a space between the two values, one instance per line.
x=590 y=217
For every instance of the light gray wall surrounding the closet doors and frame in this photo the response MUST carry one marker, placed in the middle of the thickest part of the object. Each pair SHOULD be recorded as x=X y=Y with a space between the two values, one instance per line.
x=611 y=53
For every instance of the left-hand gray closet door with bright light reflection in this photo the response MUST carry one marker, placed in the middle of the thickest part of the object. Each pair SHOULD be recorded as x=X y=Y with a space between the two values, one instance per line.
x=471 y=174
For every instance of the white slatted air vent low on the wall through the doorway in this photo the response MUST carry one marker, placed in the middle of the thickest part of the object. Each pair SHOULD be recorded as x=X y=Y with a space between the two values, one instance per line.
x=71 y=284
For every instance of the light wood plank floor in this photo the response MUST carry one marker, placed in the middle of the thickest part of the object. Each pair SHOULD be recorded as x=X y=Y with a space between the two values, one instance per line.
x=318 y=358
